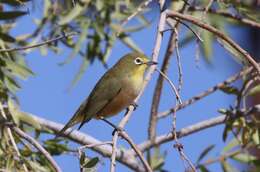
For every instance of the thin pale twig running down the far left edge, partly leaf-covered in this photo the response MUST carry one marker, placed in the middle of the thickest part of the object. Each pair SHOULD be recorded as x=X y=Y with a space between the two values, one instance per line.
x=9 y=132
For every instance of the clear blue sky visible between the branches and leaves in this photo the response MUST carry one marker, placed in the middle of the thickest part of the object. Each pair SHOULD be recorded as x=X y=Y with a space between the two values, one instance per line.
x=46 y=95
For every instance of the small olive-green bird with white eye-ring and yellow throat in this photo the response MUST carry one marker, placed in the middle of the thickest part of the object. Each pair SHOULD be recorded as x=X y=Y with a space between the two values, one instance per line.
x=115 y=91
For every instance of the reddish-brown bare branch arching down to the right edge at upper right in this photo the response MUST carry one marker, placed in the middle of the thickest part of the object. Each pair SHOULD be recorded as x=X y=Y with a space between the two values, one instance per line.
x=217 y=33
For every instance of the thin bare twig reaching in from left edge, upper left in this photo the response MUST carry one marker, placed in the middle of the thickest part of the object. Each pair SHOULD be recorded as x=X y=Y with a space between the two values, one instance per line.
x=65 y=35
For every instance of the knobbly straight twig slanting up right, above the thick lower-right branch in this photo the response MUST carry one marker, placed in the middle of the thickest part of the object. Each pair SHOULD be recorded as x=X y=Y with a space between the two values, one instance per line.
x=207 y=92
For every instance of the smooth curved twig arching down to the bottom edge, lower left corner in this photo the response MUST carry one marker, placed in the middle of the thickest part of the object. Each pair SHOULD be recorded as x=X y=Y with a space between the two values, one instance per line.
x=38 y=146
